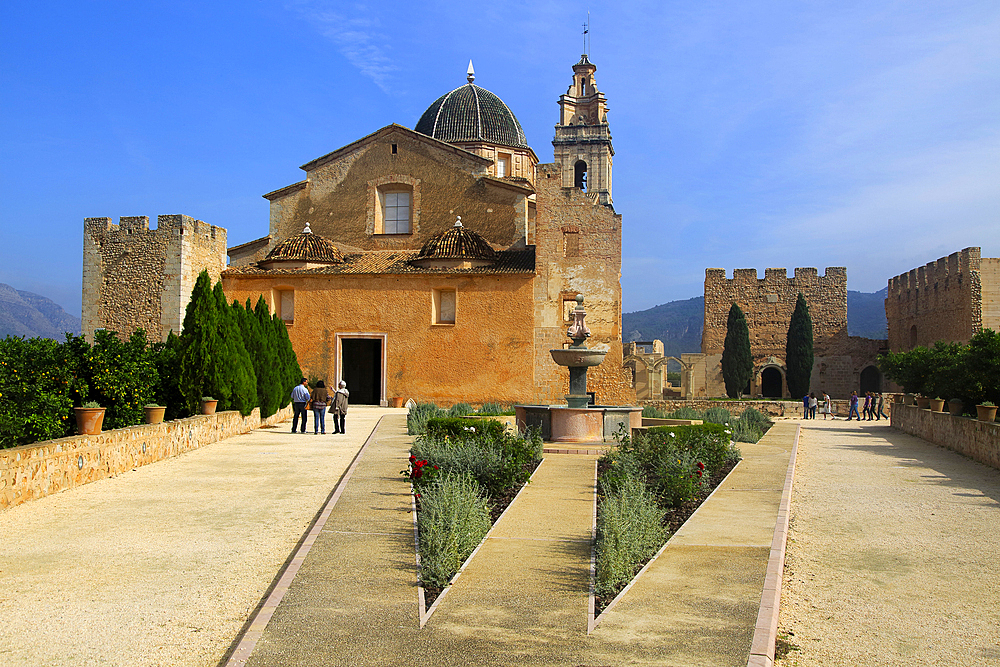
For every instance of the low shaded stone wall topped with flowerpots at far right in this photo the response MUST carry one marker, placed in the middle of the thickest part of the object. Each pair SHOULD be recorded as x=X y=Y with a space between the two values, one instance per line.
x=973 y=438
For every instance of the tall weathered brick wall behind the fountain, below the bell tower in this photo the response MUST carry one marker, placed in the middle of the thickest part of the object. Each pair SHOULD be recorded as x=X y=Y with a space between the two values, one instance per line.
x=578 y=250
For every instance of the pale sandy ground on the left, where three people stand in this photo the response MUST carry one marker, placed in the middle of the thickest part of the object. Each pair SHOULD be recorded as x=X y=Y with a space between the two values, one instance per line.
x=163 y=565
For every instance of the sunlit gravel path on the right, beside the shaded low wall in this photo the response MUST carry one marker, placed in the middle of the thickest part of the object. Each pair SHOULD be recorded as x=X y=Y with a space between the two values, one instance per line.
x=892 y=552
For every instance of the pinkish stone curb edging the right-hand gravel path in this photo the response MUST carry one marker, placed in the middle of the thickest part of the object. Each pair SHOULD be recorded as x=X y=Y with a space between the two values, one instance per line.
x=765 y=632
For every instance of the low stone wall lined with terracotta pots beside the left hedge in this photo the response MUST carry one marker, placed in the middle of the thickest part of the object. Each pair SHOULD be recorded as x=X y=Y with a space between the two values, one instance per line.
x=36 y=470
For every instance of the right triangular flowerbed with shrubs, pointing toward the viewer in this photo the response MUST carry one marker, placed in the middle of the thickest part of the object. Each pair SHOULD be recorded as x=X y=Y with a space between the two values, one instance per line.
x=647 y=487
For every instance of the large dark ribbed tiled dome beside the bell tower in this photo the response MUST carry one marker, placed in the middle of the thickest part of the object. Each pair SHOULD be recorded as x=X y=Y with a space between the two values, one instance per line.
x=470 y=113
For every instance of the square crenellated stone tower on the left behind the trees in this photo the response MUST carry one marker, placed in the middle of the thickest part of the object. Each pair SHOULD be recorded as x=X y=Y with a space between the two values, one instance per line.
x=134 y=276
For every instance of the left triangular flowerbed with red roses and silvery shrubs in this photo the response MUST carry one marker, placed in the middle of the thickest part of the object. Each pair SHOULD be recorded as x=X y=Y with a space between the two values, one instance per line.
x=464 y=474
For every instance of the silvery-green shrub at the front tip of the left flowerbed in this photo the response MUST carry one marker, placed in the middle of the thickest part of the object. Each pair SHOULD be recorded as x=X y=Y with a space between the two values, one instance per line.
x=454 y=518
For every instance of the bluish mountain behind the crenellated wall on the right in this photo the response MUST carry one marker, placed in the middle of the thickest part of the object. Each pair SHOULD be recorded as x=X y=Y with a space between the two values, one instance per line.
x=679 y=323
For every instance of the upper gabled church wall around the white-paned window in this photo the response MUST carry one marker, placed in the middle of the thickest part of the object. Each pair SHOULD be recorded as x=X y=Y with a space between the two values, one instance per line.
x=339 y=197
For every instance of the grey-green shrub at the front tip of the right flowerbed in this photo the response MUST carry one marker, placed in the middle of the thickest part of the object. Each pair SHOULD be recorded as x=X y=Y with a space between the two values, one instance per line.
x=629 y=531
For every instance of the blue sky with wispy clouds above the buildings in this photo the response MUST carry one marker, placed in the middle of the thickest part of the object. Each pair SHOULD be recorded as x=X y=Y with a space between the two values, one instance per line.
x=857 y=134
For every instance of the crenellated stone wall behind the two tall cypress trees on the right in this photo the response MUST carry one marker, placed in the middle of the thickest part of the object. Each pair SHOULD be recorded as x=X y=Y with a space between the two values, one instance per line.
x=768 y=304
